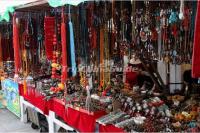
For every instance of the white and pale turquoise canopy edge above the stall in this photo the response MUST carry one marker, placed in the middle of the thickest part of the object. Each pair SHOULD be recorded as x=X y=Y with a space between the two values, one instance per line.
x=8 y=6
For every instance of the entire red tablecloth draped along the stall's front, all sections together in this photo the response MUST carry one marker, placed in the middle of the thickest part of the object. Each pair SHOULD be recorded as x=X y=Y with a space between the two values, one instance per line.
x=79 y=120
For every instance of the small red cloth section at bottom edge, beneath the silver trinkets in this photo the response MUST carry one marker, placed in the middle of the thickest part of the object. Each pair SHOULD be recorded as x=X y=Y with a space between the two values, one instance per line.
x=110 y=128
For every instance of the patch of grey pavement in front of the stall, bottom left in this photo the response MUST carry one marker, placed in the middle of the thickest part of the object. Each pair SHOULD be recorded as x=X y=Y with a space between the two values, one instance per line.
x=11 y=123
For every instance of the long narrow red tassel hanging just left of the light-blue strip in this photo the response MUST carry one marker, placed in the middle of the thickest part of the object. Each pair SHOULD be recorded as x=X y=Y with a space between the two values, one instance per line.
x=64 y=49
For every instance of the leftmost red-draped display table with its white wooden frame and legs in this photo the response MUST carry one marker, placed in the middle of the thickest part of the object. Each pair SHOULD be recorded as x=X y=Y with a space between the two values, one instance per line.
x=36 y=101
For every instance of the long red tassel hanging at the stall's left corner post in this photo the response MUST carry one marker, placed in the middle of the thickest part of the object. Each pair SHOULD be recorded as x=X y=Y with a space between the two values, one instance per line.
x=16 y=45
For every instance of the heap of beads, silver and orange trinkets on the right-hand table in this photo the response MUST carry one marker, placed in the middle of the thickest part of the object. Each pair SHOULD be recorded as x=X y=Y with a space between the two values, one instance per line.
x=153 y=115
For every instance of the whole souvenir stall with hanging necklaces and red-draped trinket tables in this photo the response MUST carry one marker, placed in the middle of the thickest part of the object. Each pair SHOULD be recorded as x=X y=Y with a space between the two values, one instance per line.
x=108 y=66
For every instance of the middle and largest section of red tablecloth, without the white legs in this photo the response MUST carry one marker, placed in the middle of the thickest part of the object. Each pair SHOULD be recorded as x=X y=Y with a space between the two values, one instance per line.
x=81 y=121
